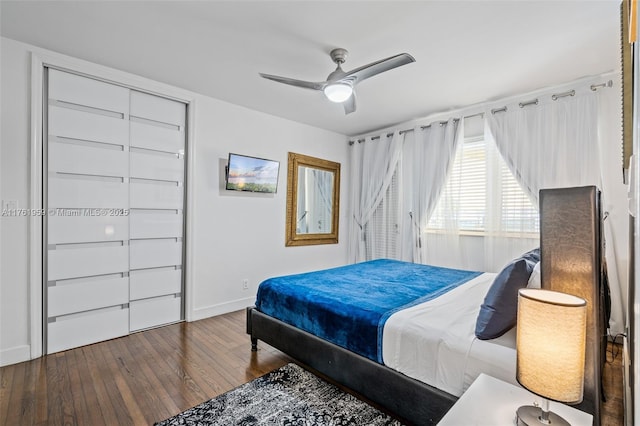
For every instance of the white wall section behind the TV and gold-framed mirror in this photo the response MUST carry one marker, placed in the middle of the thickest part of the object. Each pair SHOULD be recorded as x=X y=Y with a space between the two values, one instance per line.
x=238 y=235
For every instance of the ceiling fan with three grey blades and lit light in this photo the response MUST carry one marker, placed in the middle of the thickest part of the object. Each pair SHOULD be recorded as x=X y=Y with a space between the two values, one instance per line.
x=339 y=86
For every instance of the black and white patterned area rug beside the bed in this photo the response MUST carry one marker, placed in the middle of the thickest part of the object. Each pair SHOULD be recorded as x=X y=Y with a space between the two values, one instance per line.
x=287 y=396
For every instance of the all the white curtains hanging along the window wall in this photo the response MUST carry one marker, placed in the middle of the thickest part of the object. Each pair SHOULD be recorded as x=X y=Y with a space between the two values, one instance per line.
x=546 y=143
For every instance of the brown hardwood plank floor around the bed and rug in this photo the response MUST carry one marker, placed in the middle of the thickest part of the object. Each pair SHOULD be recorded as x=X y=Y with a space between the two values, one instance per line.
x=152 y=375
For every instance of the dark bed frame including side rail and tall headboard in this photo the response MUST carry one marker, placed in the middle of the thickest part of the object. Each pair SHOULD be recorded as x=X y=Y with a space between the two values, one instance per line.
x=417 y=403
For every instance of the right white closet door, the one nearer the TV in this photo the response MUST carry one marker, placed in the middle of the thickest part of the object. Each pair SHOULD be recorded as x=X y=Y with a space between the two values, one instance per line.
x=156 y=198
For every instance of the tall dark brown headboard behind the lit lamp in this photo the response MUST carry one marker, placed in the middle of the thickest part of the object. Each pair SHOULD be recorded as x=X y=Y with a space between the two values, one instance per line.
x=571 y=257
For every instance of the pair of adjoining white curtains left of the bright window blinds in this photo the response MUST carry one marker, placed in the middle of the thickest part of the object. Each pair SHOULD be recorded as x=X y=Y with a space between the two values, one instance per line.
x=396 y=181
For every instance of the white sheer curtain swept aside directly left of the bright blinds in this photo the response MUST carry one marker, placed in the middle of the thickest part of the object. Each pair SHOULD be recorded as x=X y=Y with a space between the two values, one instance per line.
x=429 y=154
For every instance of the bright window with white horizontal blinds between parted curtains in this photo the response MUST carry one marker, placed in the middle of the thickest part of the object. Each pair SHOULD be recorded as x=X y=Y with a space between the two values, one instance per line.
x=481 y=195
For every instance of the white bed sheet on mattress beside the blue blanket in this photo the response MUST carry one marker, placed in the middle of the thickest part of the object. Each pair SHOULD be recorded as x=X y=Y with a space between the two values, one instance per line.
x=435 y=342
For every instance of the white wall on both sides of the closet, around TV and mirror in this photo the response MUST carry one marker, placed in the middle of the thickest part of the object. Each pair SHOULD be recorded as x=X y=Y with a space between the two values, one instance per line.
x=234 y=235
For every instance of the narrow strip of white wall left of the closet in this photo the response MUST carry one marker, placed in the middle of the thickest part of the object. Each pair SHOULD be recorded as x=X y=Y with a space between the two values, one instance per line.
x=14 y=180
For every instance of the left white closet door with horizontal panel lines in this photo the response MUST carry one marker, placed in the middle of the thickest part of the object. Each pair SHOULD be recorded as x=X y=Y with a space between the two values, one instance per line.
x=87 y=229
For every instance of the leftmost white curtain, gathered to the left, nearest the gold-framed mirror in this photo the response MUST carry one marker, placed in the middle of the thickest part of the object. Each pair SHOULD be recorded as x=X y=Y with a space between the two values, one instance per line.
x=373 y=165
